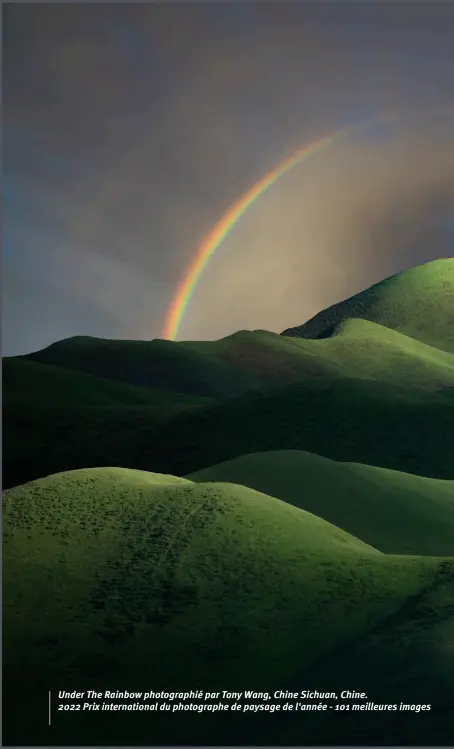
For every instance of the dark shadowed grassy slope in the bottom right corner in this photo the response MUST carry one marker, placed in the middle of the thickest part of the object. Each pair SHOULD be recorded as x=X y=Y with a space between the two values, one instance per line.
x=408 y=657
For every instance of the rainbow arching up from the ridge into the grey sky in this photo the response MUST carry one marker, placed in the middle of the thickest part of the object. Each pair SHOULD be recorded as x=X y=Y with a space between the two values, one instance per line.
x=216 y=236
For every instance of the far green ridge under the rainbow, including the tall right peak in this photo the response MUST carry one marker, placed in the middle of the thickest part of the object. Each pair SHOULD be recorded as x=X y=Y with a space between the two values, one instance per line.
x=398 y=328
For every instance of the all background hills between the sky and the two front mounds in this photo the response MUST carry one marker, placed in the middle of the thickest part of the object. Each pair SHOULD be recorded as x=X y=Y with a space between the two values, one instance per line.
x=367 y=393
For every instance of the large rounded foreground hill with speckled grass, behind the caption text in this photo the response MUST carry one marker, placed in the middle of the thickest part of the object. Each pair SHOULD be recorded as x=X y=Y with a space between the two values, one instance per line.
x=148 y=581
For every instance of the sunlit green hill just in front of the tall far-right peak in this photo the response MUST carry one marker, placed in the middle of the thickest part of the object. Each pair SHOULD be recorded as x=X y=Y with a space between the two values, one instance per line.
x=360 y=348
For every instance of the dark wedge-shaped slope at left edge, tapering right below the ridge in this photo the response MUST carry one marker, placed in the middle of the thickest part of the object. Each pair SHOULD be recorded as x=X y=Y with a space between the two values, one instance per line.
x=27 y=381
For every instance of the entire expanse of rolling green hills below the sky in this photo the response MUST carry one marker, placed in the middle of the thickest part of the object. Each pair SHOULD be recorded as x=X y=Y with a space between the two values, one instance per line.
x=280 y=516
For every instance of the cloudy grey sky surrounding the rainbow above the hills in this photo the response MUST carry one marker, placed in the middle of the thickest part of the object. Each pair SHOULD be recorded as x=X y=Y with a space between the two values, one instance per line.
x=130 y=129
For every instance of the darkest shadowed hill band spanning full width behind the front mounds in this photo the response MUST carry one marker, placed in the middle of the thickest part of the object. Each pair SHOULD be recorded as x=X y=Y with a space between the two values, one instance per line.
x=343 y=419
